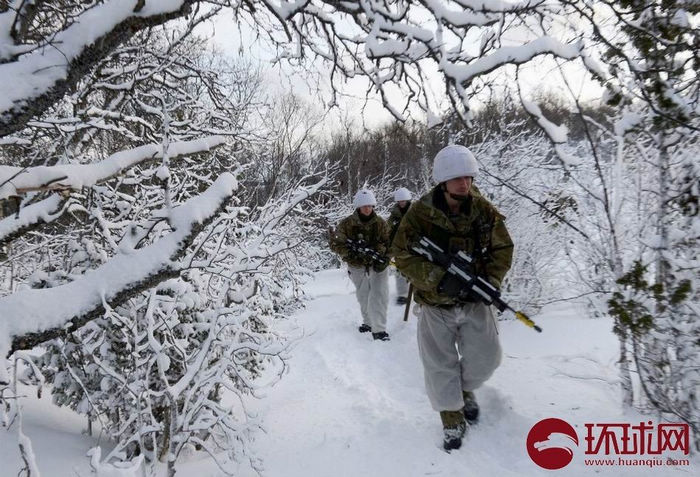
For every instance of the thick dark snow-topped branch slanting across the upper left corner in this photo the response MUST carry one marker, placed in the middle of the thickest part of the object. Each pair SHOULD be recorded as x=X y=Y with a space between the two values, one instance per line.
x=41 y=76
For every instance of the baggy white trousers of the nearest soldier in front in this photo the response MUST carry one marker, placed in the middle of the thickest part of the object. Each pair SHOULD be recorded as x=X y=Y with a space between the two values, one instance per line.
x=460 y=350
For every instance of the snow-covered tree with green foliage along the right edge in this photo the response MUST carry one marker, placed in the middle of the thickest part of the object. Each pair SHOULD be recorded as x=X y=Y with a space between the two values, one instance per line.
x=650 y=48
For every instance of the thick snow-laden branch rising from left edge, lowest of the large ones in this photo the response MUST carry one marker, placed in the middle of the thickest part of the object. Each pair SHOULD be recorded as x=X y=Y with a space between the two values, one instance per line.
x=34 y=316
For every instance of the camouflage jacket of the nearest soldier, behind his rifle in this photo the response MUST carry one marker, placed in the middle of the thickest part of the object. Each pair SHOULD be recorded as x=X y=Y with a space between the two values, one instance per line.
x=479 y=230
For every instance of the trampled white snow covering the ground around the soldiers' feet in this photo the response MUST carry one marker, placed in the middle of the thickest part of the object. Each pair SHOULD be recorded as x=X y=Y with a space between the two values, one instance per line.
x=350 y=406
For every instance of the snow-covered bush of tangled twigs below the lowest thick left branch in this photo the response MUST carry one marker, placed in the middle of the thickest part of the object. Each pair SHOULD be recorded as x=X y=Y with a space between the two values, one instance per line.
x=159 y=372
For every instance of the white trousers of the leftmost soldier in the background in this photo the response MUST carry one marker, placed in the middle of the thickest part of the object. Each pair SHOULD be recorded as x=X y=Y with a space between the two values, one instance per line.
x=372 y=295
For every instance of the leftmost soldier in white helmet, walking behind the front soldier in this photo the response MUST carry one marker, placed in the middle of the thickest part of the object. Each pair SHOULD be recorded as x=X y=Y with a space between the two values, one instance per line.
x=362 y=241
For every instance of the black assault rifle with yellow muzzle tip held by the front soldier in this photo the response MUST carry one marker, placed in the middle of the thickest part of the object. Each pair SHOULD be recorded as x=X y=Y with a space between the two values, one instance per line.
x=460 y=265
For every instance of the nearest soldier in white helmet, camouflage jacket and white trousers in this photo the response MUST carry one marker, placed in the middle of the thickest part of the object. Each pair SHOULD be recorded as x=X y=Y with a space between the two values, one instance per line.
x=457 y=333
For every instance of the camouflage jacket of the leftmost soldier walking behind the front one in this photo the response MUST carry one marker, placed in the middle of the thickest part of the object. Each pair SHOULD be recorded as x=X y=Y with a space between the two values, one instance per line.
x=373 y=231
